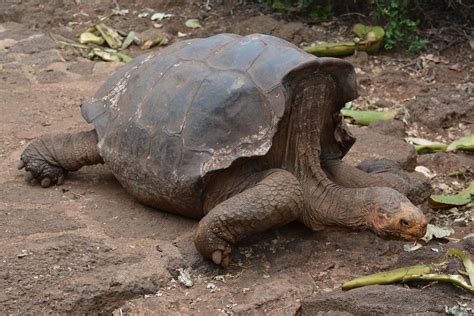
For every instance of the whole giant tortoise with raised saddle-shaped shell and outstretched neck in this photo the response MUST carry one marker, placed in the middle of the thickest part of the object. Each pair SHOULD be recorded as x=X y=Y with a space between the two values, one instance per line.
x=243 y=133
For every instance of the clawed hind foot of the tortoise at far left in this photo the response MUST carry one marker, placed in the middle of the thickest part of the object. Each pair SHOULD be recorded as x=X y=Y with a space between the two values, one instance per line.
x=36 y=159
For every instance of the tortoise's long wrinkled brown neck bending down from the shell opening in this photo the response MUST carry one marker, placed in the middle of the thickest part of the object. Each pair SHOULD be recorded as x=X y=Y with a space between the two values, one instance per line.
x=312 y=131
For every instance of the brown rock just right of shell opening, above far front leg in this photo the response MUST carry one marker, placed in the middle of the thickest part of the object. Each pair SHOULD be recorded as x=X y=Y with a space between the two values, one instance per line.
x=374 y=146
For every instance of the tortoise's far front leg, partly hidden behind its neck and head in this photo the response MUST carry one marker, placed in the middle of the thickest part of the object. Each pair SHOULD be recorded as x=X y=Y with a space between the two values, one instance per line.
x=380 y=174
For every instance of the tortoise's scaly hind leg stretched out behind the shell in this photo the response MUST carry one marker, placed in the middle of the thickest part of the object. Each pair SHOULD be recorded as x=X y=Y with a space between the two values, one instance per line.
x=49 y=157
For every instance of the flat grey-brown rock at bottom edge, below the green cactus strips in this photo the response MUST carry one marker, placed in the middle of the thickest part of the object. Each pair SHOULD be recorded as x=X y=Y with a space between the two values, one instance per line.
x=374 y=300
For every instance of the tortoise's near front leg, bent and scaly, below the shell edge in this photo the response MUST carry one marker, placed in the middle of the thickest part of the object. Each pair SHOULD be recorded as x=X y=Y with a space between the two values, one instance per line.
x=275 y=200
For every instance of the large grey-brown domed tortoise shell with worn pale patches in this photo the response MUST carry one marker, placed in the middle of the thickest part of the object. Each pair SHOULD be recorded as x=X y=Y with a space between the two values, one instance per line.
x=167 y=119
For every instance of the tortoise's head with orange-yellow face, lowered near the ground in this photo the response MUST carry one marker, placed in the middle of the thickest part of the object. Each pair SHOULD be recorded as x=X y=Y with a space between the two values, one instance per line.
x=392 y=215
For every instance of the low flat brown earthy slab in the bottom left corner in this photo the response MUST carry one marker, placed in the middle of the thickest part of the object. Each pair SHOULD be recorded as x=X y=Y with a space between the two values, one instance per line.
x=70 y=273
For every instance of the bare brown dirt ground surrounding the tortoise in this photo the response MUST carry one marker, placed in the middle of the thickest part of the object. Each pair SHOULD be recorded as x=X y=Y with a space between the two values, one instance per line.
x=88 y=247
